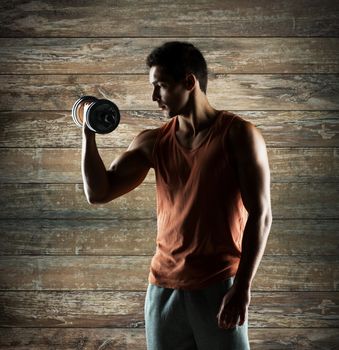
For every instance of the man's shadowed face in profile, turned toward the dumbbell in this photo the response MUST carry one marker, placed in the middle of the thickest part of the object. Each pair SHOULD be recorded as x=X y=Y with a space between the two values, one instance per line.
x=171 y=96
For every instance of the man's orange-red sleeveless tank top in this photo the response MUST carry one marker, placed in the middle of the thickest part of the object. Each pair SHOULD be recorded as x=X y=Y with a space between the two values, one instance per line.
x=200 y=213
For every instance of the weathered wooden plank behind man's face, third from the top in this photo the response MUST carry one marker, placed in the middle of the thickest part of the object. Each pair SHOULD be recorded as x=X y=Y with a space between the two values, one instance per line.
x=248 y=91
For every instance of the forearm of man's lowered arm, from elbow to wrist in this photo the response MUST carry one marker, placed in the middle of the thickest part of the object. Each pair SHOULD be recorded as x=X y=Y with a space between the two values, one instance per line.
x=253 y=246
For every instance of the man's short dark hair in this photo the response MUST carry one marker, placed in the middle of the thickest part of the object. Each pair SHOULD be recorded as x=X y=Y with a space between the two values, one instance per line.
x=179 y=59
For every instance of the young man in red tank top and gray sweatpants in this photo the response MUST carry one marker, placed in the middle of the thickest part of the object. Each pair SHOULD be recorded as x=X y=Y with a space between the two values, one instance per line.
x=213 y=207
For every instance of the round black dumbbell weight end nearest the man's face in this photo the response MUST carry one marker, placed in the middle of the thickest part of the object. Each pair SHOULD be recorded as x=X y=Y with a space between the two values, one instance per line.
x=103 y=116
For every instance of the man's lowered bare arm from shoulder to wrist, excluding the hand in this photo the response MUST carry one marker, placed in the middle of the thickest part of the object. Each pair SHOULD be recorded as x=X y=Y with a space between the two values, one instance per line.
x=254 y=178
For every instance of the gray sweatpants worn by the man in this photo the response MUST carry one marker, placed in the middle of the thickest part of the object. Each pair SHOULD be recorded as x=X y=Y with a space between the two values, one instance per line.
x=178 y=319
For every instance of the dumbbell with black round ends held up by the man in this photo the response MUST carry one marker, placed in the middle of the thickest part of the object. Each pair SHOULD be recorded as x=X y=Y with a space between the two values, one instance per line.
x=102 y=116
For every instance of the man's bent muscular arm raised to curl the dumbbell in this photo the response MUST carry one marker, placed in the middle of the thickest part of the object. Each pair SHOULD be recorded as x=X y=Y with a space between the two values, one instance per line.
x=125 y=173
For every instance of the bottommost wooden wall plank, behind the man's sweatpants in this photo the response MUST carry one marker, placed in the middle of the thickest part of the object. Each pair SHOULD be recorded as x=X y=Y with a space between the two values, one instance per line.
x=134 y=339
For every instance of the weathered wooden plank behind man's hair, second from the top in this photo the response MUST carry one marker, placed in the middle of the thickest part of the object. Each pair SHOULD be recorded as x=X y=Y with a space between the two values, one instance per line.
x=226 y=55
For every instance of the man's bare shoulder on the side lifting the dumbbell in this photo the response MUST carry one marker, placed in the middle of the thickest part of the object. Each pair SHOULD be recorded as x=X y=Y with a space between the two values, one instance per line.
x=144 y=142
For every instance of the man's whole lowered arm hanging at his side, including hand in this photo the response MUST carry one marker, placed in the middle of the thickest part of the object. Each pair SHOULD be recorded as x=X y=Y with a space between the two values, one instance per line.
x=250 y=160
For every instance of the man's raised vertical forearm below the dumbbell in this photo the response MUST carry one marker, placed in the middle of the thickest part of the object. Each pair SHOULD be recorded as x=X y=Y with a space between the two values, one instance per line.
x=93 y=170
